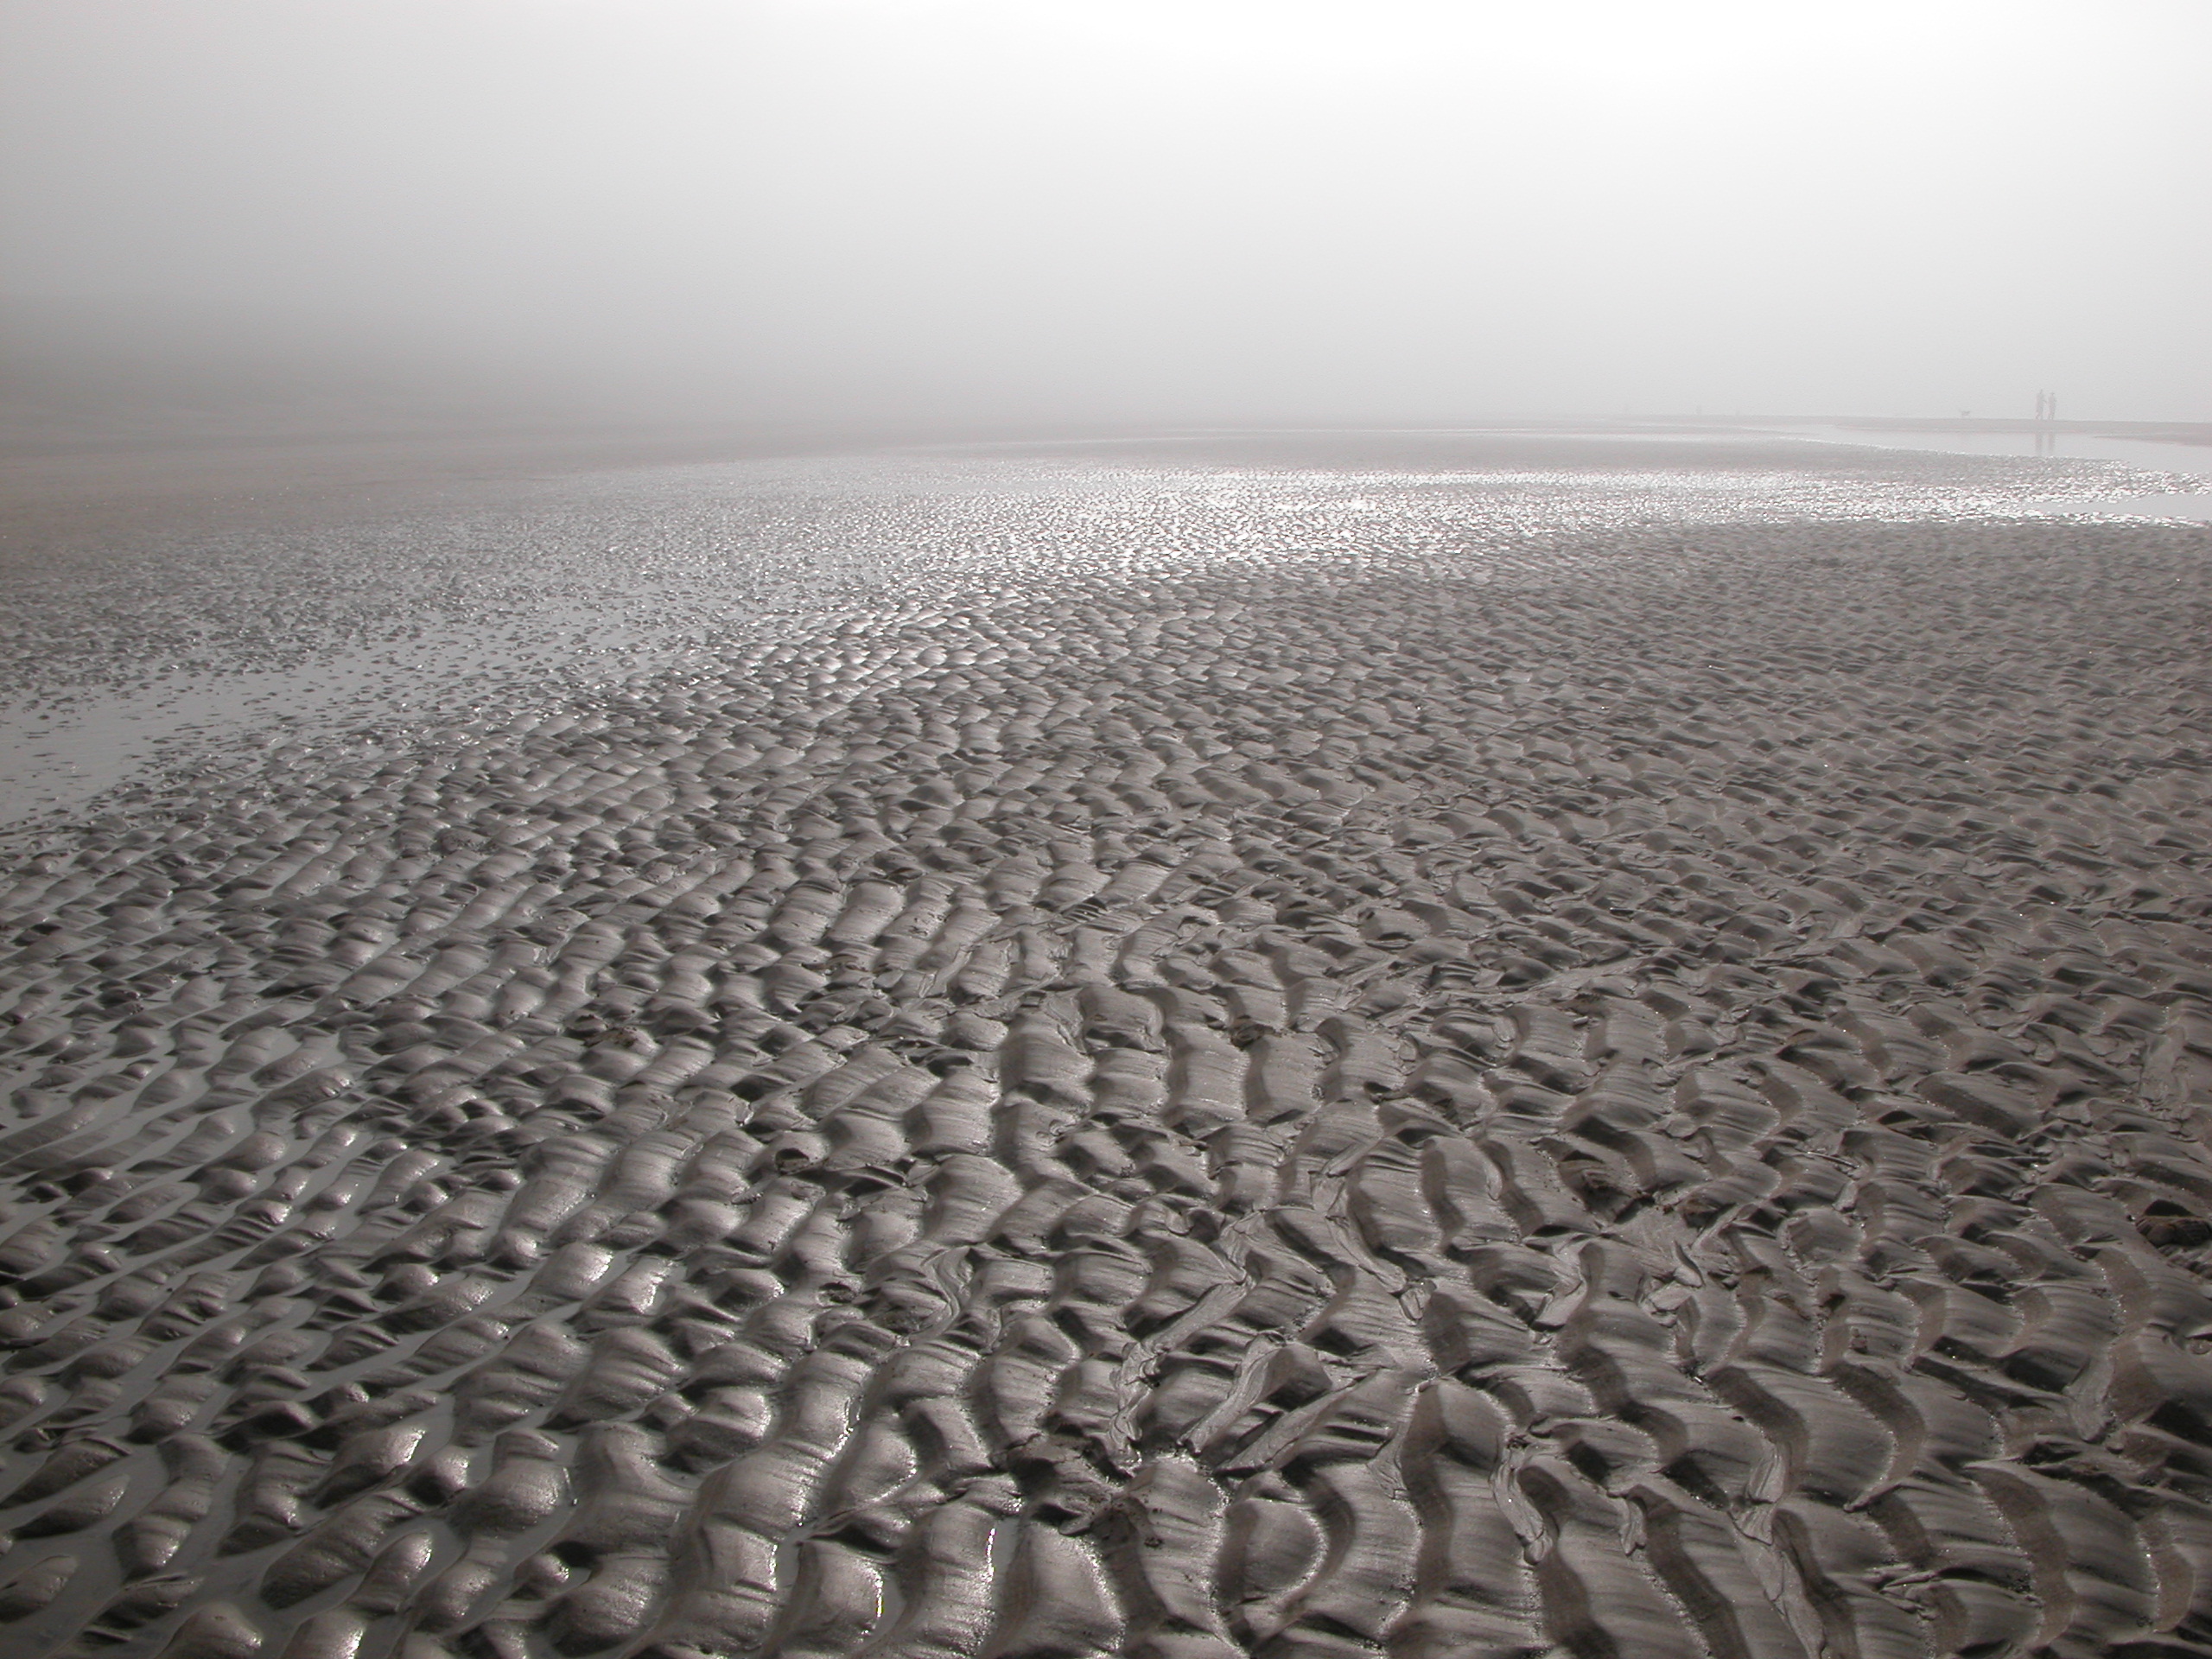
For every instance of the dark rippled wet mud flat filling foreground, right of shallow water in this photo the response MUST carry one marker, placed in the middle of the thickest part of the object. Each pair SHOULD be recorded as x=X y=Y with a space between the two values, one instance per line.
x=1611 y=1087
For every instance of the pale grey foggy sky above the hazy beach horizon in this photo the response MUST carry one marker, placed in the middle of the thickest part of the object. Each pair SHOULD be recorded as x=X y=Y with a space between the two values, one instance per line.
x=1070 y=211
